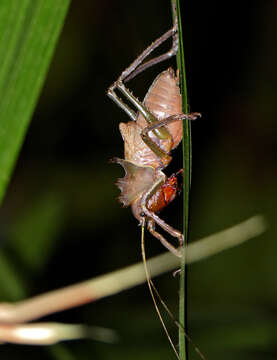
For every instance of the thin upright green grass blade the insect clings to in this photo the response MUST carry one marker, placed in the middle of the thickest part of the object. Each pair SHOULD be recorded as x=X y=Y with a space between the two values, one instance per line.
x=183 y=349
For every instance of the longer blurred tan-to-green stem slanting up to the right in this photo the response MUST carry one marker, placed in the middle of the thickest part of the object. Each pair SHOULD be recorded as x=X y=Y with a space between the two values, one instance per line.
x=126 y=278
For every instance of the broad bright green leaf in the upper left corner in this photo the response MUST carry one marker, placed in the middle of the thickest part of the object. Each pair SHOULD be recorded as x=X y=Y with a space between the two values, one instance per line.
x=28 y=34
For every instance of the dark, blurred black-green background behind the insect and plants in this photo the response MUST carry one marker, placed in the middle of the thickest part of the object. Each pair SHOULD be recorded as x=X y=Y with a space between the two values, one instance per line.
x=61 y=223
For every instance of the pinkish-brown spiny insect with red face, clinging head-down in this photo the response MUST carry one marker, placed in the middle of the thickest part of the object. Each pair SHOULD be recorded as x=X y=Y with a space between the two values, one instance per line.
x=154 y=130
